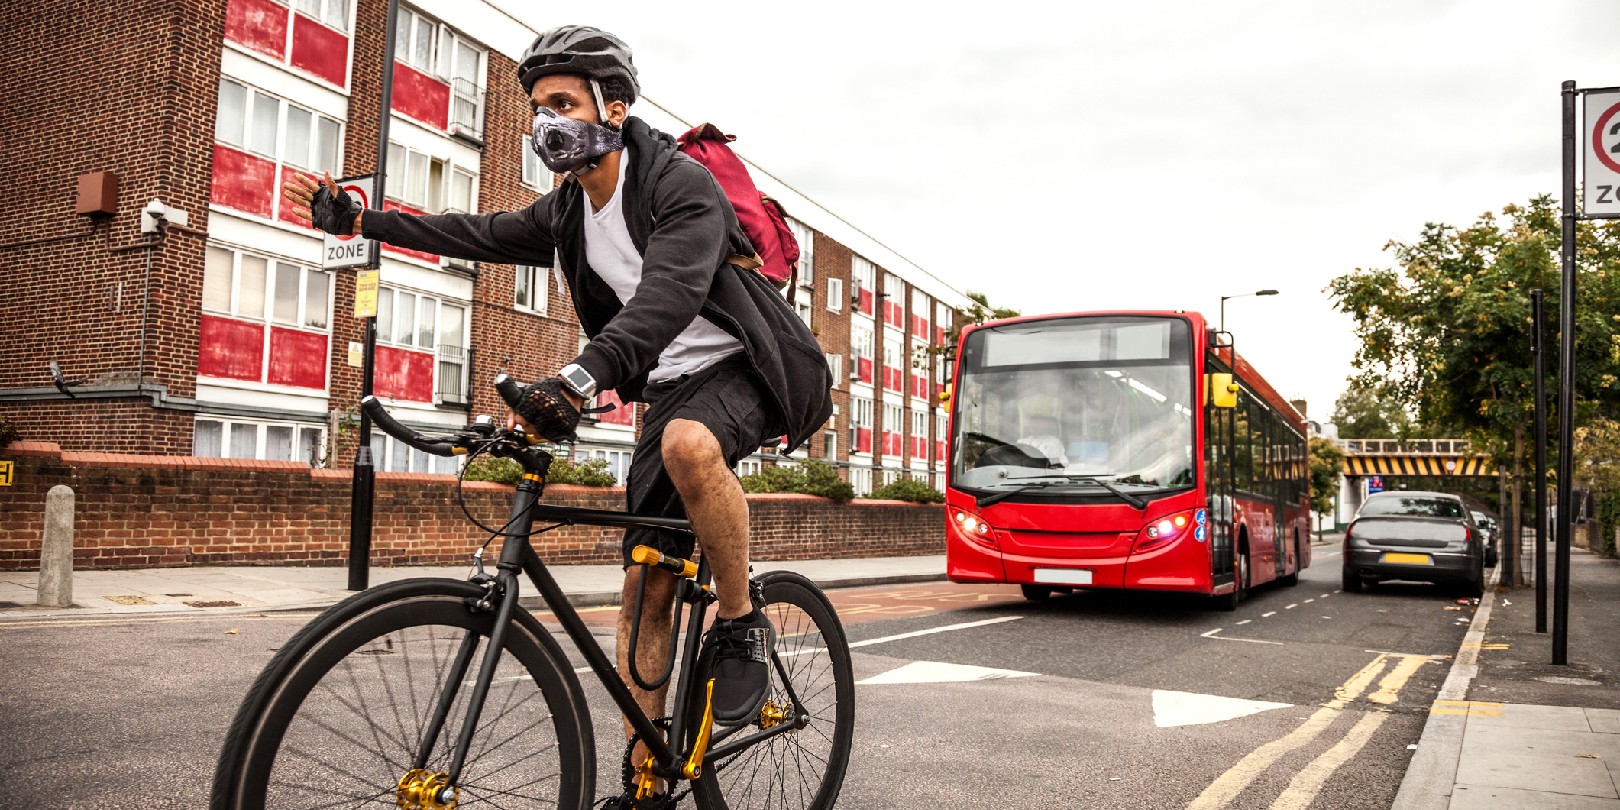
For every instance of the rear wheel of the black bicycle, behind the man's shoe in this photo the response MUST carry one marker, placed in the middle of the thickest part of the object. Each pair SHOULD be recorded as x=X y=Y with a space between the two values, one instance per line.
x=816 y=654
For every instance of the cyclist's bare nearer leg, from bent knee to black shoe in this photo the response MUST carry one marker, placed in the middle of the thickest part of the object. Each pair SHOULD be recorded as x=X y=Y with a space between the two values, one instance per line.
x=717 y=508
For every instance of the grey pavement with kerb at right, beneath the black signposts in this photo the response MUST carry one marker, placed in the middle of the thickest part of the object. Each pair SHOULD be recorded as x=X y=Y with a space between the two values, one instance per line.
x=1511 y=730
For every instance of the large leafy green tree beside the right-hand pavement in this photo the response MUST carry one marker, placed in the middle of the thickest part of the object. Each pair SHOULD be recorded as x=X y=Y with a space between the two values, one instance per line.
x=1447 y=331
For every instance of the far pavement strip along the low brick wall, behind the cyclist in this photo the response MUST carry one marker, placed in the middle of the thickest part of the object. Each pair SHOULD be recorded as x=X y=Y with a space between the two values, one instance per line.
x=265 y=589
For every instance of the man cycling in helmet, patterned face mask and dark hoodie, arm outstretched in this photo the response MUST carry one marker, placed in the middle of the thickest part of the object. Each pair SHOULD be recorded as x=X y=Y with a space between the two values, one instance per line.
x=662 y=278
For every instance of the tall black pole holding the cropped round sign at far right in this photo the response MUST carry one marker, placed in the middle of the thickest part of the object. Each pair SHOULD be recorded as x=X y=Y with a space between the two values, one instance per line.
x=1561 y=589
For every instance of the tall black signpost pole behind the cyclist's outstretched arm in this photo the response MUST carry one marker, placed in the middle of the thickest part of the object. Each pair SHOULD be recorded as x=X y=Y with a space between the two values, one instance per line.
x=365 y=466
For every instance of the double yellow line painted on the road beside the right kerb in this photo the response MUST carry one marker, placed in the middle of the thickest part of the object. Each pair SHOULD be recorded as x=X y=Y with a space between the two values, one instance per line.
x=1308 y=783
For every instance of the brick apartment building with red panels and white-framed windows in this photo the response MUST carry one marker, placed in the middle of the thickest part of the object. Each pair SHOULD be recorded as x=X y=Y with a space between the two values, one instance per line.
x=224 y=338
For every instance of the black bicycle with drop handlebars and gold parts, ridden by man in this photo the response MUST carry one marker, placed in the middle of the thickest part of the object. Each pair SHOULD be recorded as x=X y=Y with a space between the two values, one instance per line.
x=440 y=694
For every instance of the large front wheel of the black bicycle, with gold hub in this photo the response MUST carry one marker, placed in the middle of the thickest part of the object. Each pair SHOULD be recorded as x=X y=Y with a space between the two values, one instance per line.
x=326 y=715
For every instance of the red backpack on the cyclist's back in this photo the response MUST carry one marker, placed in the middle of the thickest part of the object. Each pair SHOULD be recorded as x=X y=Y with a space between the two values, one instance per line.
x=762 y=218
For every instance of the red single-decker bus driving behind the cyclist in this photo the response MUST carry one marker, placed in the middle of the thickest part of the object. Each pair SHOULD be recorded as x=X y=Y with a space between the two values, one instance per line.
x=1132 y=450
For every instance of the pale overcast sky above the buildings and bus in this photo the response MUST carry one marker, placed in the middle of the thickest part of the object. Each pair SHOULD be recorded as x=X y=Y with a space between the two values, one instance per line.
x=1141 y=155
